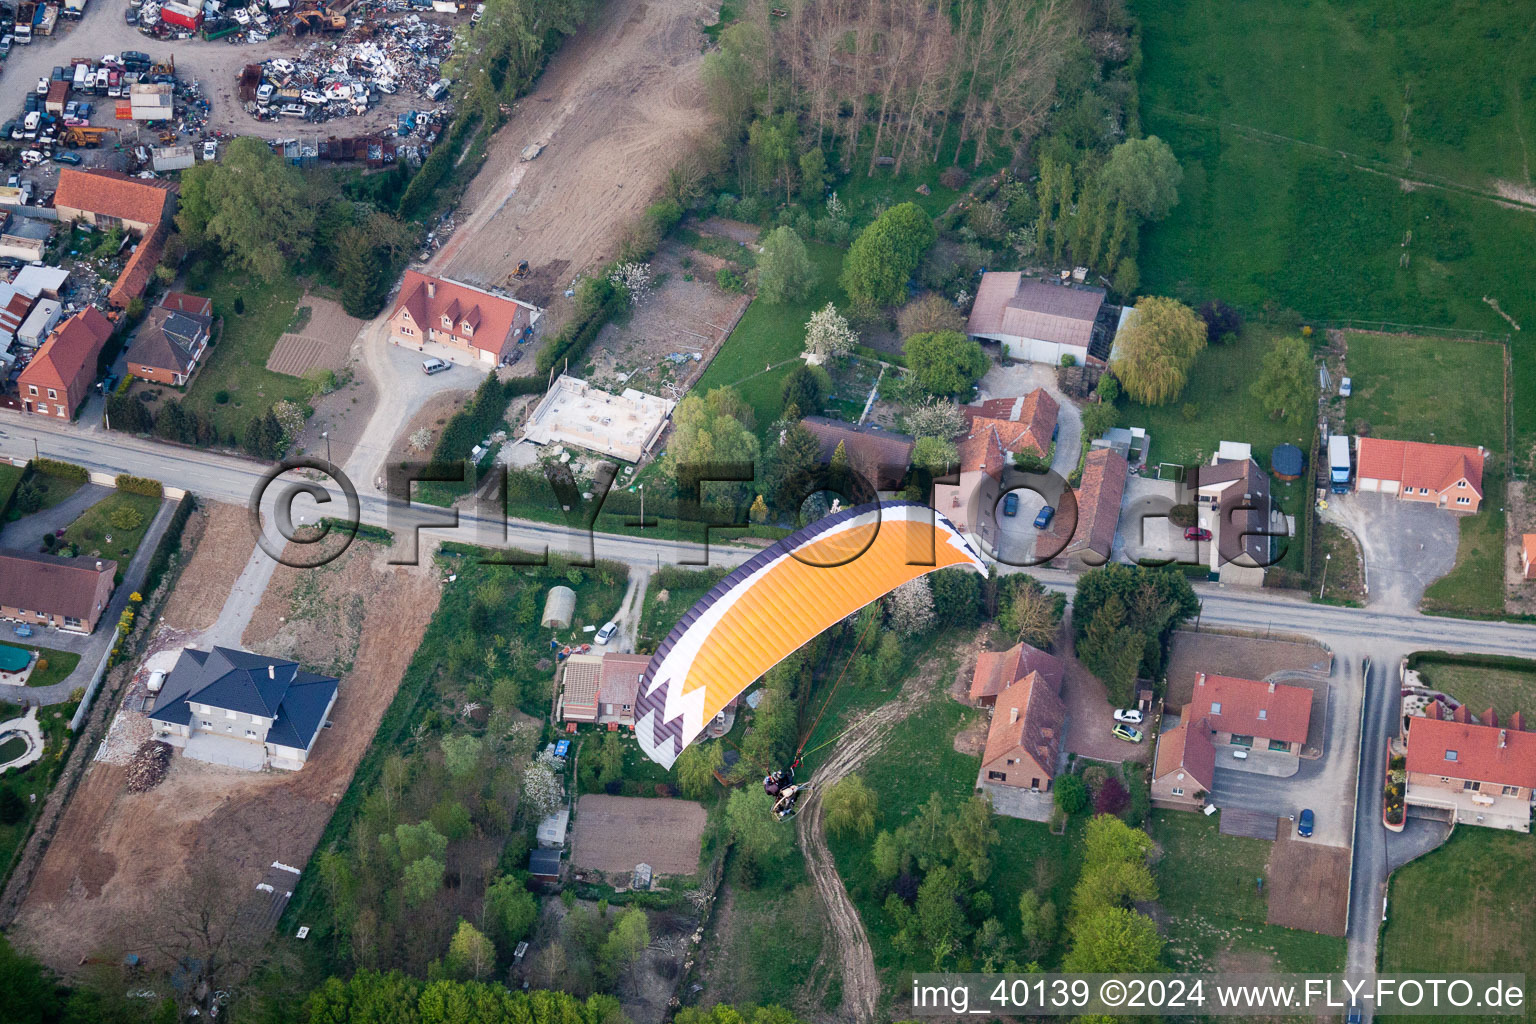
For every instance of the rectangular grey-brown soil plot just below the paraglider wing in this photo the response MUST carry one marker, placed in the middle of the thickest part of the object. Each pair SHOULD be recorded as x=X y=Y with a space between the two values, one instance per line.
x=614 y=834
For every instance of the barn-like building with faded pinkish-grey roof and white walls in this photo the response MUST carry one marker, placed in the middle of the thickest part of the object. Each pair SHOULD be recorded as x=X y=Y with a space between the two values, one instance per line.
x=1042 y=322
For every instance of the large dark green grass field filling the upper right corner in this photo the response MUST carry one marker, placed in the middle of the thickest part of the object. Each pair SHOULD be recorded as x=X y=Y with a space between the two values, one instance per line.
x=1297 y=128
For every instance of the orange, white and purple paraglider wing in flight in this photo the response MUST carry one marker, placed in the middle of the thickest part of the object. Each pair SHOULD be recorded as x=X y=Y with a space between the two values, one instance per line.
x=780 y=601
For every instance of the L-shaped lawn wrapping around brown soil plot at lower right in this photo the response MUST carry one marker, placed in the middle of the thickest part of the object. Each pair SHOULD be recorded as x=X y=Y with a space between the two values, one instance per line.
x=1213 y=903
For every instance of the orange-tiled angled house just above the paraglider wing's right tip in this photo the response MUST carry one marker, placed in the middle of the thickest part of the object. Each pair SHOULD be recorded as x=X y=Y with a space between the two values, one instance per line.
x=996 y=432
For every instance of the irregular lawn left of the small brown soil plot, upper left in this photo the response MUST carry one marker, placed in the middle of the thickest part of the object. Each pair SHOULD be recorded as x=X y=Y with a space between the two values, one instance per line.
x=237 y=363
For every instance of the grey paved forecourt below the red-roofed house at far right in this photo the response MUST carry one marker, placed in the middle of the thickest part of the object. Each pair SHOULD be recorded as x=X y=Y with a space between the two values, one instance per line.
x=1408 y=546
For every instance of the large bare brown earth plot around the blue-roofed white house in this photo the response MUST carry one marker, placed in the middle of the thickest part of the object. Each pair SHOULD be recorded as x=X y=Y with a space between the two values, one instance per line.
x=122 y=859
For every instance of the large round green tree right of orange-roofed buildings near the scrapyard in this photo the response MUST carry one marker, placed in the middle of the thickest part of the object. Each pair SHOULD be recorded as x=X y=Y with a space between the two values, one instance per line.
x=254 y=205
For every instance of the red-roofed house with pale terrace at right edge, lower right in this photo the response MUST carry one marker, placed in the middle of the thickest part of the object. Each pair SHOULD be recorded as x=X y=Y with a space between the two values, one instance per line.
x=1472 y=770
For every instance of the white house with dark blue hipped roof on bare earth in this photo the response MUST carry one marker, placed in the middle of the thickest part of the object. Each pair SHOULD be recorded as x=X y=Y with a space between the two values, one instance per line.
x=242 y=710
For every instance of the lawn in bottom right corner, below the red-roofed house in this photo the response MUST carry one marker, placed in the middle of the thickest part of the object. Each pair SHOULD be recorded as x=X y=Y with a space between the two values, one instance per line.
x=1465 y=908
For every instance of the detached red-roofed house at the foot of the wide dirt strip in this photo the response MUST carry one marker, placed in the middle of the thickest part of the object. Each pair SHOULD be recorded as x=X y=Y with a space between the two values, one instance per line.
x=460 y=317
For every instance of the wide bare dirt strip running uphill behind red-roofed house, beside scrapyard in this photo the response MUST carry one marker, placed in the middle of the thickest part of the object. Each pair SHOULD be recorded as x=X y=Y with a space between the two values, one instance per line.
x=618 y=105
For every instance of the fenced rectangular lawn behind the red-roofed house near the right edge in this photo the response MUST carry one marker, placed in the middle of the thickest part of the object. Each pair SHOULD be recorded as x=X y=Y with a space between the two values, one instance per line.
x=1391 y=375
